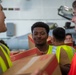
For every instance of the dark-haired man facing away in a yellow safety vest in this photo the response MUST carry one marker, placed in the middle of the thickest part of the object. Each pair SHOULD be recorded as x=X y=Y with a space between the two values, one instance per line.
x=64 y=53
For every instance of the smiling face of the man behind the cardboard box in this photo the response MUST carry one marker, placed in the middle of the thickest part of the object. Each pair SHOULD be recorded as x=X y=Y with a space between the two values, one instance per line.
x=40 y=36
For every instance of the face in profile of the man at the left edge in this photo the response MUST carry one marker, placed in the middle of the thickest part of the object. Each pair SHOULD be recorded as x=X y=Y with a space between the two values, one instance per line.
x=2 y=19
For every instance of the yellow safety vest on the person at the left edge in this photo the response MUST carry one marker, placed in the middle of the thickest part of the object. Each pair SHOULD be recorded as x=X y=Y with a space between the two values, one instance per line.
x=7 y=55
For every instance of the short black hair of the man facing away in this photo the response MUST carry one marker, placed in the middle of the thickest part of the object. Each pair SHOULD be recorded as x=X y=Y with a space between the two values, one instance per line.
x=59 y=33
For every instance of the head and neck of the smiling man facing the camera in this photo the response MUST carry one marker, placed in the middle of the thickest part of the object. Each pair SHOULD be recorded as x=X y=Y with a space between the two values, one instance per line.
x=40 y=32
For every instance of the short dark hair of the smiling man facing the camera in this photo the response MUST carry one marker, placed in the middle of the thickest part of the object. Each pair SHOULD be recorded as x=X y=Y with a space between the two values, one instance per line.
x=40 y=24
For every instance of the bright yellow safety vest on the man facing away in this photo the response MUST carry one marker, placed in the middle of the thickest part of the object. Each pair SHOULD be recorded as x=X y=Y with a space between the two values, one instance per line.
x=69 y=50
